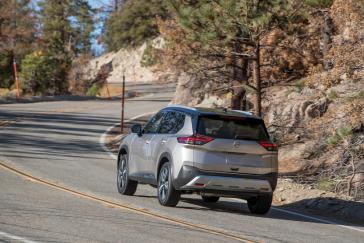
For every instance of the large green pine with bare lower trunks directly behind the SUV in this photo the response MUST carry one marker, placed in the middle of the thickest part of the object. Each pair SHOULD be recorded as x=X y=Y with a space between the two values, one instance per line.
x=226 y=35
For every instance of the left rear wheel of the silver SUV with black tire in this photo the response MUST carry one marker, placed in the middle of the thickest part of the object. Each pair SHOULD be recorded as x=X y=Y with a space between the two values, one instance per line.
x=167 y=194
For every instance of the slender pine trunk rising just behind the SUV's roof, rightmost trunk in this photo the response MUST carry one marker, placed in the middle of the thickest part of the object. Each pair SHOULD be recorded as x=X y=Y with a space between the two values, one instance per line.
x=257 y=81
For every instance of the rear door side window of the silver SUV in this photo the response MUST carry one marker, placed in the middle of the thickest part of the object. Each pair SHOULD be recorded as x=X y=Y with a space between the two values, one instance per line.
x=172 y=122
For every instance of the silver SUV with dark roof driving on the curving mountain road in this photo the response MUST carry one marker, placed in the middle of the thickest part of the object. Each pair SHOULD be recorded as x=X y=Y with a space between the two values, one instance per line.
x=212 y=152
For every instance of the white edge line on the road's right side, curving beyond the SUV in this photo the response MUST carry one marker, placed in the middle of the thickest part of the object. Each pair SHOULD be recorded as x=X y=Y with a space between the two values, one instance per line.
x=113 y=156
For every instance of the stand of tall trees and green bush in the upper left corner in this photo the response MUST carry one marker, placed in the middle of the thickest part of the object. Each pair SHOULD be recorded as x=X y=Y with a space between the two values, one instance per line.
x=44 y=38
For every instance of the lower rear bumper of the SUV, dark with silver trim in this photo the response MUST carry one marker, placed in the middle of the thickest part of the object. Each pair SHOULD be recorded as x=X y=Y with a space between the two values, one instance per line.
x=192 y=179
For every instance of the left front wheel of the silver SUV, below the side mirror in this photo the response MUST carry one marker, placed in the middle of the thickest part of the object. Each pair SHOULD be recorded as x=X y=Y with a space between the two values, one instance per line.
x=124 y=184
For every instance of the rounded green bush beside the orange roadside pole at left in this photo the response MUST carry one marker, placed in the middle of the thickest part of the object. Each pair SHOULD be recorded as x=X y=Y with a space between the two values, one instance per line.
x=37 y=74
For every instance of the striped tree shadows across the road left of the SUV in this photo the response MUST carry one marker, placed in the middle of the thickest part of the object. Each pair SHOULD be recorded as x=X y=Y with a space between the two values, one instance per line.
x=60 y=135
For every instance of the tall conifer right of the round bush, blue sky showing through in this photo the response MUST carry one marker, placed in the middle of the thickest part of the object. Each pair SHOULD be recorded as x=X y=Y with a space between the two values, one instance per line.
x=66 y=31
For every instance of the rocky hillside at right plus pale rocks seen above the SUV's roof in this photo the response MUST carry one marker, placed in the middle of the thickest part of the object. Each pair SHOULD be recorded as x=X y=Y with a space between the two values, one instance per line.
x=318 y=120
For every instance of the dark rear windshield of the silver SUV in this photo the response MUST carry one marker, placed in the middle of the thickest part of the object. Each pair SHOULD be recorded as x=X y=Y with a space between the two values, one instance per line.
x=225 y=127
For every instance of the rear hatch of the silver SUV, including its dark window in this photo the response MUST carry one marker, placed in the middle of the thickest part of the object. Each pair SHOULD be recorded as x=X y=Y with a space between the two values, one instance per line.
x=234 y=145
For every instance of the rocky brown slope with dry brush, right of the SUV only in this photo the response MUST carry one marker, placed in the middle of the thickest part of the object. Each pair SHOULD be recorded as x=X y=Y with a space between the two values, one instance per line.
x=320 y=123
